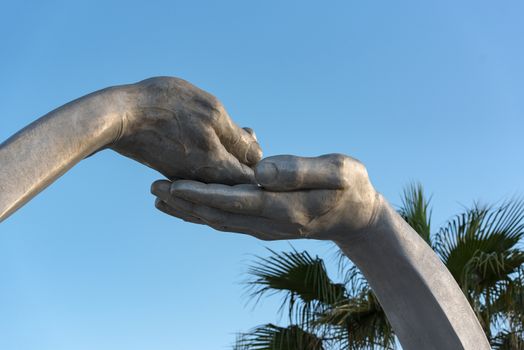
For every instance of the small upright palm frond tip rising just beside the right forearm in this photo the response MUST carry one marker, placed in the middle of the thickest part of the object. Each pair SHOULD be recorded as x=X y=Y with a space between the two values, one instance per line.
x=415 y=210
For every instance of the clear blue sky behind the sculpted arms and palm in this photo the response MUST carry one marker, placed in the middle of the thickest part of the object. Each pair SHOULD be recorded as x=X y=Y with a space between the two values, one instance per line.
x=417 y=90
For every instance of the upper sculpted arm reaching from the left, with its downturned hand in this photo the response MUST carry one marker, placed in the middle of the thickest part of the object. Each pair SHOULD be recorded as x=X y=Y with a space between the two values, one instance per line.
x=165 y=123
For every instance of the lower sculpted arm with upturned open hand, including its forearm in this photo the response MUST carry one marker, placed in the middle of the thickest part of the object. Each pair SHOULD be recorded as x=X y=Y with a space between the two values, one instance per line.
x=331 y=198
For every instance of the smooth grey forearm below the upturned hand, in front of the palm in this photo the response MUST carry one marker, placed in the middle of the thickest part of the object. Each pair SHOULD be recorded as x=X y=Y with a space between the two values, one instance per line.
x=423 y=302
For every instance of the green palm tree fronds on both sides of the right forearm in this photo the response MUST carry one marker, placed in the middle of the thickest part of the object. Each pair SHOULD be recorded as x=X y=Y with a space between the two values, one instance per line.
x=480 y=247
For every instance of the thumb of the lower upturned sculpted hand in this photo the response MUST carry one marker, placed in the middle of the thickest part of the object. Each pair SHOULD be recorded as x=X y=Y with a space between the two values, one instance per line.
x=288 y=173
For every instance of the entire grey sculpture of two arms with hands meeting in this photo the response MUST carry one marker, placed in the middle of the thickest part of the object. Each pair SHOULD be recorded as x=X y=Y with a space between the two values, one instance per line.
x=185 y=133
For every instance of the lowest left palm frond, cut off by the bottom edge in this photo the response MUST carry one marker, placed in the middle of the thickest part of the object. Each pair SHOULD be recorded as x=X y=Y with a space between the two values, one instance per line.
x=272 y=337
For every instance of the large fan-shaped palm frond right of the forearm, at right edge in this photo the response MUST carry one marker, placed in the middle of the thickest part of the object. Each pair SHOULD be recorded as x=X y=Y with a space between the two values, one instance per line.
x=479 y=246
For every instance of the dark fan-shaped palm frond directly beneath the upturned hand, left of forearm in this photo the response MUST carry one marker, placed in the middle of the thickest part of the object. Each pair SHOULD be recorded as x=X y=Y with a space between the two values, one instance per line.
x=300 y=277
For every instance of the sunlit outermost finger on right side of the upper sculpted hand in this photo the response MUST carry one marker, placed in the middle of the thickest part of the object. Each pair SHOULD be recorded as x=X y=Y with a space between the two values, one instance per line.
x=239 y=142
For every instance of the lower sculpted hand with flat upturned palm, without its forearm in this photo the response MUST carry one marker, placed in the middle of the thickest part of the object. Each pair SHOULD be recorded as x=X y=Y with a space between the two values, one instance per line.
x=319 y=198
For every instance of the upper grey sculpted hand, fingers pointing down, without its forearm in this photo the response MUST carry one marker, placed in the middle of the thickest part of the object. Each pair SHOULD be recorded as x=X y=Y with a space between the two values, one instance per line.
x=185 y=133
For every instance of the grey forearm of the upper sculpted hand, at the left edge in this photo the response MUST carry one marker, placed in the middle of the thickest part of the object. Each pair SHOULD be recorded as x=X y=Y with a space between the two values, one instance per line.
x=40 y=153
